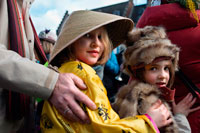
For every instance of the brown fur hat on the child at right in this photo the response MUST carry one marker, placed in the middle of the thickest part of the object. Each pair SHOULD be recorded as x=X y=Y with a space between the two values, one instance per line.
x=148 y=44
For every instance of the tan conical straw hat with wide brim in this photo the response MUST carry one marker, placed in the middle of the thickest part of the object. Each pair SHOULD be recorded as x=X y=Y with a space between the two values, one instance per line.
x=82 y=22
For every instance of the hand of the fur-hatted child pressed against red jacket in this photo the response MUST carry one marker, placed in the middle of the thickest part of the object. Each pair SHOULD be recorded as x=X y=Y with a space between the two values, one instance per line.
x=183 y=107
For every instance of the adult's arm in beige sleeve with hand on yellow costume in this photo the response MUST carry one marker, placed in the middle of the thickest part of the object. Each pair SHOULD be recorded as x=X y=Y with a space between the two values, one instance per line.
x=25 y=76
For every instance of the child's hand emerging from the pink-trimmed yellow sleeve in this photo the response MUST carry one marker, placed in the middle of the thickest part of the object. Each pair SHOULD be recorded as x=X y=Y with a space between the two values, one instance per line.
x=160 y=114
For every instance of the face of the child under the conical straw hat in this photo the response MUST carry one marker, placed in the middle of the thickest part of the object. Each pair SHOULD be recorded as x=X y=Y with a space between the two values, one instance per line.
x=90 y=47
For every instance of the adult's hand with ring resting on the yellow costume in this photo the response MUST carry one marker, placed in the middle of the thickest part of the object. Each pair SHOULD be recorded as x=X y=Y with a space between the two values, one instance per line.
x=66 y=96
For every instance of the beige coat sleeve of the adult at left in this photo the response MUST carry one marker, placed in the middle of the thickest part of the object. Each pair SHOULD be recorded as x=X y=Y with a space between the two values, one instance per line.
x=25 y=76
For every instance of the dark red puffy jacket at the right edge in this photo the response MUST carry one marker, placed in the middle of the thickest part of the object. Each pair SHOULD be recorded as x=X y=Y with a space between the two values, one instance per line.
x=183 y=30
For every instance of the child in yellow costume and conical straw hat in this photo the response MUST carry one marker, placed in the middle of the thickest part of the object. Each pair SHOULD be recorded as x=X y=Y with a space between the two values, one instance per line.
x=86 y=41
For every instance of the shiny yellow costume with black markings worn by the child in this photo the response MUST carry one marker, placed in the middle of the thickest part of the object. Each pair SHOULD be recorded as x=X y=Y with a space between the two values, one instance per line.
x=103 y=120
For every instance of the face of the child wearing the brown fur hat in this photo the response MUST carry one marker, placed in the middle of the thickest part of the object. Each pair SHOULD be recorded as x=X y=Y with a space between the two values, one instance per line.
x=158 y=73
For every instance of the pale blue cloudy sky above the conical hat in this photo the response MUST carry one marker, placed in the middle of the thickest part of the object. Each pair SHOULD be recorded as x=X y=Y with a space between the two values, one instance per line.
x=49 y=13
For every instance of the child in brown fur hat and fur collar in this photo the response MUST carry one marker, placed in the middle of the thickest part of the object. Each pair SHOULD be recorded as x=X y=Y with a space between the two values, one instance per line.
x=151 y=60
